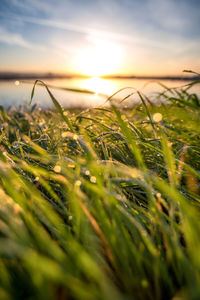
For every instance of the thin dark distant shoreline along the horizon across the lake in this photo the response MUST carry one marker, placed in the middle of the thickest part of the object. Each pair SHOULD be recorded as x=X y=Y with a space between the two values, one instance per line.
x=4 y=76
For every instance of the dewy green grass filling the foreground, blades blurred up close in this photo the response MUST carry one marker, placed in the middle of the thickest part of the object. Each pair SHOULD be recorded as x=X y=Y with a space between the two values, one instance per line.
x=102 y=203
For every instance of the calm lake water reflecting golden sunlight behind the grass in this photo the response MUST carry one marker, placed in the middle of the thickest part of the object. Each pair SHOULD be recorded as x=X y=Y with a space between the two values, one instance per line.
x=16 y=93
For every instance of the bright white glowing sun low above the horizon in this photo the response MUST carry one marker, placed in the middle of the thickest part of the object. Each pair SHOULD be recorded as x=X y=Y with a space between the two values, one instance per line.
x=100 y=58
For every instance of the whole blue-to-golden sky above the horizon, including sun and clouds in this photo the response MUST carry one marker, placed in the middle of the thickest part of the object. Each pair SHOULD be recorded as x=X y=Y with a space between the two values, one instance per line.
x=100 y=37
